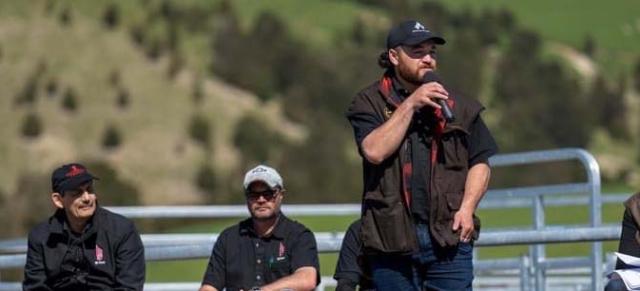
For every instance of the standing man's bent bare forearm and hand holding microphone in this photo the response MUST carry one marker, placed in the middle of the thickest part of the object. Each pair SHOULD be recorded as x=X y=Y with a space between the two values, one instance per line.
x=386 y=139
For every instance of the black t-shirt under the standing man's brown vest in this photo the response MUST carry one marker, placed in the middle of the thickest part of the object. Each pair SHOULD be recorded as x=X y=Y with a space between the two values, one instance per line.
x=480 y=142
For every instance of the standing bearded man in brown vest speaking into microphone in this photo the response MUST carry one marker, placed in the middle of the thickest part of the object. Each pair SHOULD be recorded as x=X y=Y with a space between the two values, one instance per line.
x=424 y=174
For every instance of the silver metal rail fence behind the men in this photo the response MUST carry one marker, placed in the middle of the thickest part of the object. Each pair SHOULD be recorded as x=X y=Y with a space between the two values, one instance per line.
x=533 y=268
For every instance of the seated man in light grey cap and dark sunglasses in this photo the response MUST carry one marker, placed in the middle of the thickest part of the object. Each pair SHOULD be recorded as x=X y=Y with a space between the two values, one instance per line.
x=267 y=251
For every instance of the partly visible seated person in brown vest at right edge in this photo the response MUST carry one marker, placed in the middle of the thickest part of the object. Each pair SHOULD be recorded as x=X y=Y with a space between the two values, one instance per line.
x=629 y=240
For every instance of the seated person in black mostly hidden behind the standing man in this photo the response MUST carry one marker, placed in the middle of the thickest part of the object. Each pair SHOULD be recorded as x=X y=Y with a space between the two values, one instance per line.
x=352 y=270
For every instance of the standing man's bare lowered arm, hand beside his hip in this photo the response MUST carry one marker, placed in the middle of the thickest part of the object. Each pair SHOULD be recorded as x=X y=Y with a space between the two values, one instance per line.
x=475 y=187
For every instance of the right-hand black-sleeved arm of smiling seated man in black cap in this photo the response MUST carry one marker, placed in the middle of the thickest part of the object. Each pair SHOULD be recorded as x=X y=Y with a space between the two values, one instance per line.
x=130 y=264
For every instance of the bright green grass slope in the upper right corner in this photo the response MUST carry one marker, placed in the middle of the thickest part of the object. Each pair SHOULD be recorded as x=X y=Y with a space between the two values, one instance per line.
x=615 y=26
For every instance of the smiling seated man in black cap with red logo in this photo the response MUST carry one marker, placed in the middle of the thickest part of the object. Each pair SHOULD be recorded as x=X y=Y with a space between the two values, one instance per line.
x=82 y=246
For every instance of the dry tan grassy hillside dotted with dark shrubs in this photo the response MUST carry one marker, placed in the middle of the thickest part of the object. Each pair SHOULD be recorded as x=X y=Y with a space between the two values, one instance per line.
x=157 y=154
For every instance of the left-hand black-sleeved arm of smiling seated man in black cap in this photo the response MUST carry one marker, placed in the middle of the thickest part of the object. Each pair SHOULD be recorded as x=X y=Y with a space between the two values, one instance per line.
x=34 y=270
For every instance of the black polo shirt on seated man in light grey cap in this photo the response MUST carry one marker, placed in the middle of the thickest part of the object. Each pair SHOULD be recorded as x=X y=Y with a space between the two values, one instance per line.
x=242 y=260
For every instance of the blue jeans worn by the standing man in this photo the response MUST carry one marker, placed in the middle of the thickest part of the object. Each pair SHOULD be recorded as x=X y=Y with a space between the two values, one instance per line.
x=433 y=268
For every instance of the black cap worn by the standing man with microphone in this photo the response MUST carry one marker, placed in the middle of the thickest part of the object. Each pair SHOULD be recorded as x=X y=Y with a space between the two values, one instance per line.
x=411 y=32
